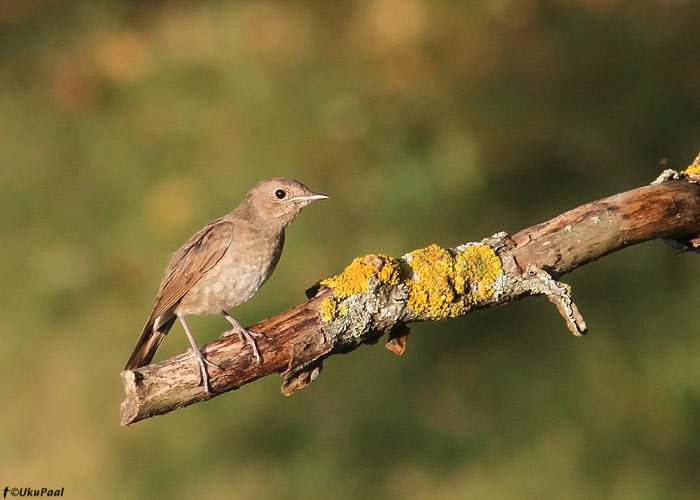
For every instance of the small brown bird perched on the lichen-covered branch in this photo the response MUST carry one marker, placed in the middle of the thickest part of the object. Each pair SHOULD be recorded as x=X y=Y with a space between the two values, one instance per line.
x=222 y=266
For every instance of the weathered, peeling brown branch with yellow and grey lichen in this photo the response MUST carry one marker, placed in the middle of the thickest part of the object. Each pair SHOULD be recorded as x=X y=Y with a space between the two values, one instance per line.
x=378 y=294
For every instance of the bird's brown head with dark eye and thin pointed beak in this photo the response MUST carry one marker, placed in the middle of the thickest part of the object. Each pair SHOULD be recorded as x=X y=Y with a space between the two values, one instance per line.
x=279 y=200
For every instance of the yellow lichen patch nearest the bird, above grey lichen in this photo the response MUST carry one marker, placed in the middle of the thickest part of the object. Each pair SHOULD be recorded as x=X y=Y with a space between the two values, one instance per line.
x=355 y=278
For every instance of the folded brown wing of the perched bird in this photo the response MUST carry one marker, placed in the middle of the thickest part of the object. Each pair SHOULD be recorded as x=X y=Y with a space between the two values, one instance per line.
x=189 y=263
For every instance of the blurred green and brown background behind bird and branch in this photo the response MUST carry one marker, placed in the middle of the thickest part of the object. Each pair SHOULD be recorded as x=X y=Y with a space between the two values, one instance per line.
x=126 y=125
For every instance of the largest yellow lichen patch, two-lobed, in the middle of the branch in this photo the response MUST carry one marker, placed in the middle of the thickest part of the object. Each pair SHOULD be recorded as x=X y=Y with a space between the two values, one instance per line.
x=445 y=286
